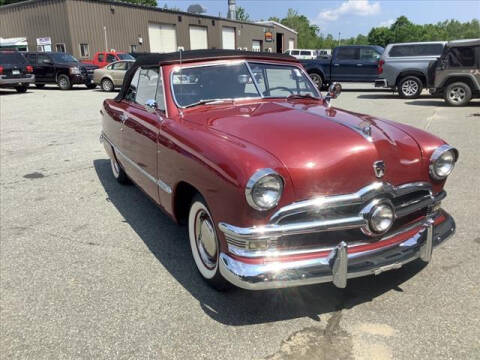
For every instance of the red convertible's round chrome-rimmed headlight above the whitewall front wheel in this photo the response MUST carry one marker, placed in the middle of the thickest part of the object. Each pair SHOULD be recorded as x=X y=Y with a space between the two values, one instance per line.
x=264 y=189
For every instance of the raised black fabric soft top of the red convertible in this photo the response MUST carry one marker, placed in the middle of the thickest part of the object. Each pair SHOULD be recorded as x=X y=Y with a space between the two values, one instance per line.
x=157 y=59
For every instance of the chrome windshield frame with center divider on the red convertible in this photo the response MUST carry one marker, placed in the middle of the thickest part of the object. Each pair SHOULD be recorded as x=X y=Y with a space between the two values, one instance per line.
x=247 y=64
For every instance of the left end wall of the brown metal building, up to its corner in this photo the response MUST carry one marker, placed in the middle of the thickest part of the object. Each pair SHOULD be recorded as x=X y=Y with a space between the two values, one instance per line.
x=46 y=19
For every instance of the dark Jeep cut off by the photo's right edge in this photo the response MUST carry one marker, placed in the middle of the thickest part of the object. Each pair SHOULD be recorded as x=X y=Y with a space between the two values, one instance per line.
x=456 y=75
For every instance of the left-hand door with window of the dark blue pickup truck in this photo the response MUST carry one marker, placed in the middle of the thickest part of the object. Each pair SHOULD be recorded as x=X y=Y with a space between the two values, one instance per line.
x=344 y=64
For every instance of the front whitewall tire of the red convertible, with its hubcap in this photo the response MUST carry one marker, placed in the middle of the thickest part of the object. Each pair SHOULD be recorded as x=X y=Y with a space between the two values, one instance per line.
x=206 y=253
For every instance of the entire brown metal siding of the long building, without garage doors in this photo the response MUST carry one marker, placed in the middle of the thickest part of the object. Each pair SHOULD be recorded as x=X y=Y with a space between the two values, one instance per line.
x=81 y=21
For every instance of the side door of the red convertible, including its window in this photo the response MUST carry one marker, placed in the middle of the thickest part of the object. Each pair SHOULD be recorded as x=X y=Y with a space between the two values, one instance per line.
x=142 y=127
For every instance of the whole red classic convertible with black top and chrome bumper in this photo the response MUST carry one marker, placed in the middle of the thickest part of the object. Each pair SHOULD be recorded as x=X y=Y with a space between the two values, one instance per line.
x=277 y=187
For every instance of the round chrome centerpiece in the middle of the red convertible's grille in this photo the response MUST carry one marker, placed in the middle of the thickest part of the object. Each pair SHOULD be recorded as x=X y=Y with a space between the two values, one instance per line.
x=380 y=216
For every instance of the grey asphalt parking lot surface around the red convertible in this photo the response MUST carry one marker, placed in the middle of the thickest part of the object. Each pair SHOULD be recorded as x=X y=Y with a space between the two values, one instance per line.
x=92 y=269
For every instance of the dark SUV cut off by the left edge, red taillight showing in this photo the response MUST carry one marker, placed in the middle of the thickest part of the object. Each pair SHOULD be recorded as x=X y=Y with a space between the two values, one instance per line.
x=15 y=71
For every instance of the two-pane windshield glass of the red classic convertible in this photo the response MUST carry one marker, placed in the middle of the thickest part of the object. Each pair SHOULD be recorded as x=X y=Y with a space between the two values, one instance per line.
x=202 y=84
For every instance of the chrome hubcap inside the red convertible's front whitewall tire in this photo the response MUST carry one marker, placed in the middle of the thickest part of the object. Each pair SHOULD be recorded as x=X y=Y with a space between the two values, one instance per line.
x=206 y=239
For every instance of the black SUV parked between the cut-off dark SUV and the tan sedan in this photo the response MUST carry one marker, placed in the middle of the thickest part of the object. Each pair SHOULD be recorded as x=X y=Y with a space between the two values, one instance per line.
x=61 y=69
